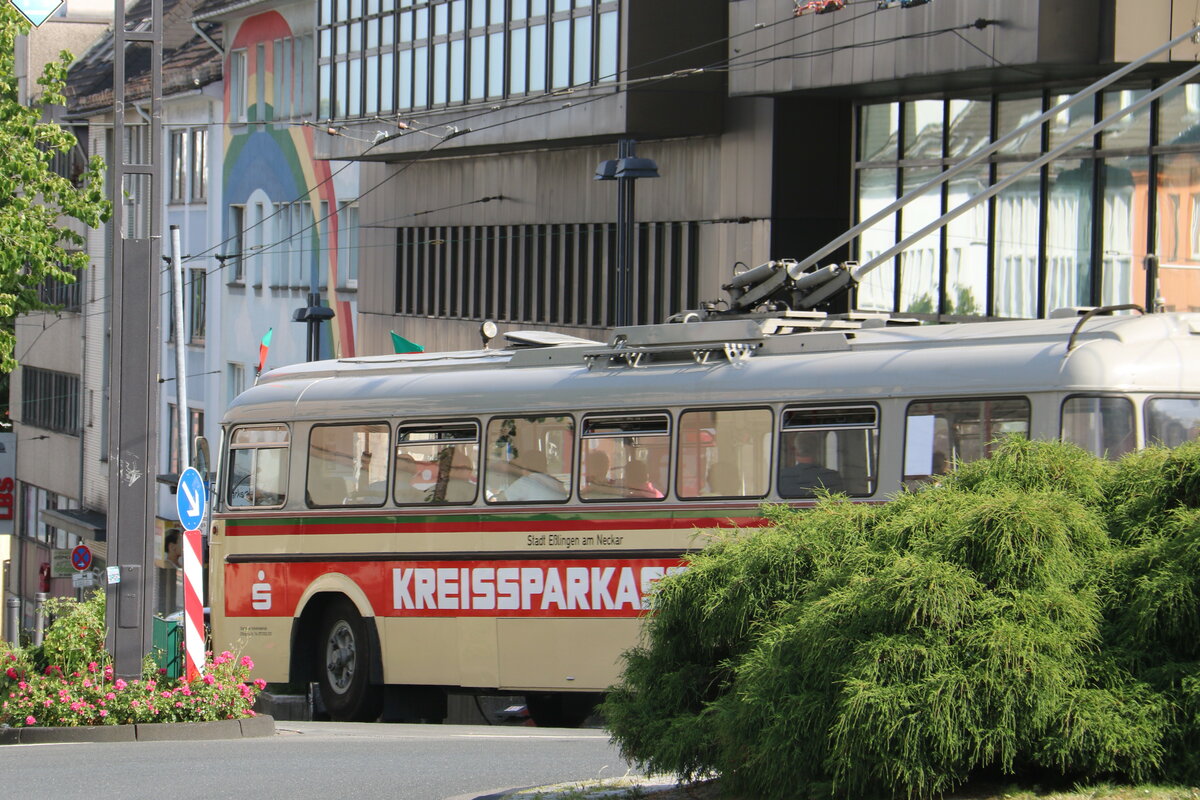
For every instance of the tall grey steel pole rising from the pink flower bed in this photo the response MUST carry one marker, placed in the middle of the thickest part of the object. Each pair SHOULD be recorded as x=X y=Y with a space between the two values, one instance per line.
x=134 y=392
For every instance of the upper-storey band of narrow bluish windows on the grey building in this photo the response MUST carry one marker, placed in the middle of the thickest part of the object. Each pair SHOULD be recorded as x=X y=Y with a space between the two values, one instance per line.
x=403 y=56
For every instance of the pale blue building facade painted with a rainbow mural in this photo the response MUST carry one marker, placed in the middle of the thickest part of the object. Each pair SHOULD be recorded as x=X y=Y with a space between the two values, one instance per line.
x=289 y=221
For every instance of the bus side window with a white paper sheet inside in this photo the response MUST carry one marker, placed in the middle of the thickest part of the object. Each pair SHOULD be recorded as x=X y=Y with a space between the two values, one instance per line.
x=941 y=434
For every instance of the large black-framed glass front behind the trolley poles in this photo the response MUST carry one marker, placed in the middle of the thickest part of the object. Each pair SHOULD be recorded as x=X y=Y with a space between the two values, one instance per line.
x=1076 y=233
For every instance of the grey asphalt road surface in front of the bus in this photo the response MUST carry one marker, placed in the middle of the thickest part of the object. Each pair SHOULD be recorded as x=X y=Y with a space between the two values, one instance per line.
x=315 y=760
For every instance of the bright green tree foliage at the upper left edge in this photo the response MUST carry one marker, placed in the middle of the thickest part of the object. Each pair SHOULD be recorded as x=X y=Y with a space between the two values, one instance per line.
x=38 y=242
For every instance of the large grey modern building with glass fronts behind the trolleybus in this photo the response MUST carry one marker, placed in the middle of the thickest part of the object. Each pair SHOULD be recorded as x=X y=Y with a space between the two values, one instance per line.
x=481 y=125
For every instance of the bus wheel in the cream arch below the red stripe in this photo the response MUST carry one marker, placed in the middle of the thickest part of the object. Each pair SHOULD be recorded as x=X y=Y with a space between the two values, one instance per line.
x=344 y=658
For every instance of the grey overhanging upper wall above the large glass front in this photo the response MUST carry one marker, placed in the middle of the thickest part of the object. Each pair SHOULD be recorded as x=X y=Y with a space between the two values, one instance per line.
x=938 y=47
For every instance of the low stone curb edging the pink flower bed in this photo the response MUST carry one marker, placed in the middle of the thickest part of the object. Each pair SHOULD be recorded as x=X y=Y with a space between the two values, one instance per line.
x=247 y=729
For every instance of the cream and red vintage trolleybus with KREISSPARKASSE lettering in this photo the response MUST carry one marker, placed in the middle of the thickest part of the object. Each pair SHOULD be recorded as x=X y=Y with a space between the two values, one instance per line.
x=494 y=521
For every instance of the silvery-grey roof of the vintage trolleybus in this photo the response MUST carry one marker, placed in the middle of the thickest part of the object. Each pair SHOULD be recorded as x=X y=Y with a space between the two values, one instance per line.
x=735 y=362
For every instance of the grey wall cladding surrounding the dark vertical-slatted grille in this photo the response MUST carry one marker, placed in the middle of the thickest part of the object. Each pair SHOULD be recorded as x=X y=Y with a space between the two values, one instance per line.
x=724 y=183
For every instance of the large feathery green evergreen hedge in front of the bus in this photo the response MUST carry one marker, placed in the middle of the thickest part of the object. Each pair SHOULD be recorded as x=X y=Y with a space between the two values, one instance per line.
x=1036 y=616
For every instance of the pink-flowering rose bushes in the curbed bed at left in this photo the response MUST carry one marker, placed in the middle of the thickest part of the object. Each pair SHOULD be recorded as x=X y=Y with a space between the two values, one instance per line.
x=69 y=681
